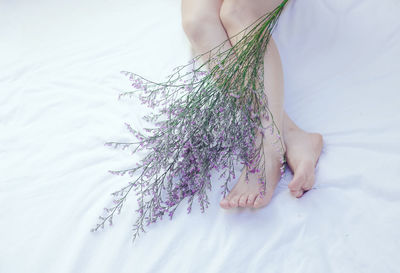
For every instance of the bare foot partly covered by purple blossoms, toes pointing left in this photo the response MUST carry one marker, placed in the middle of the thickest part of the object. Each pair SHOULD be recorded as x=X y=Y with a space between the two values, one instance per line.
x=247 y=193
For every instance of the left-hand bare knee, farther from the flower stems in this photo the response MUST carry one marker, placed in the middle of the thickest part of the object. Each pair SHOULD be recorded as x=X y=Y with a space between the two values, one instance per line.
x=197 y=25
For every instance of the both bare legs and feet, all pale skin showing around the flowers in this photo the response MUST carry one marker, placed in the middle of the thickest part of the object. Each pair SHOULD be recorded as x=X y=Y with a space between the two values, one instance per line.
x=207 y=23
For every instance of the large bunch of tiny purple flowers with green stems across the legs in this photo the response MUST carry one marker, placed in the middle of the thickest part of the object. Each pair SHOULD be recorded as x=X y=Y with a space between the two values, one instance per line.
x=206 y=120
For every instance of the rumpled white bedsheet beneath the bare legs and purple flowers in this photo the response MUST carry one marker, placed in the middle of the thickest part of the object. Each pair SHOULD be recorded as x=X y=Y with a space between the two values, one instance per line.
x=59 y=82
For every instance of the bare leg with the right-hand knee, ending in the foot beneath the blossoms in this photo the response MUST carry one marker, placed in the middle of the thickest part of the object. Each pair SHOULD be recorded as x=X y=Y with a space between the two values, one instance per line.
x=236 y=16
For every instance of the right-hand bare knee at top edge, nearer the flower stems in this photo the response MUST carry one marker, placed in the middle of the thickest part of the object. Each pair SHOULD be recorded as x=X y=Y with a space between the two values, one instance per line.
x=234 y=13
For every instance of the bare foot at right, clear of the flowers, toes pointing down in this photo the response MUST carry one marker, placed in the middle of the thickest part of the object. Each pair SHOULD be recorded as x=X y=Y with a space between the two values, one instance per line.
x=303 y=151
